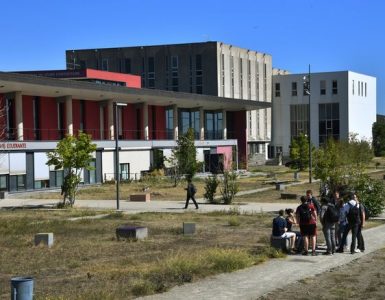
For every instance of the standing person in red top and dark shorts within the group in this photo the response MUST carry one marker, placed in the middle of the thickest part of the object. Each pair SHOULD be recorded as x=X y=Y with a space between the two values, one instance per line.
x=307 y=216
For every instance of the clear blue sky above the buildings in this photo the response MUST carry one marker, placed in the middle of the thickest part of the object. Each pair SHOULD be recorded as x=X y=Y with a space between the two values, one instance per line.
x=331 y=35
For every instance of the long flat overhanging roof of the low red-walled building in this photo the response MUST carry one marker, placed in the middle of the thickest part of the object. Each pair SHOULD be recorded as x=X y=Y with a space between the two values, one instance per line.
x=53 y=87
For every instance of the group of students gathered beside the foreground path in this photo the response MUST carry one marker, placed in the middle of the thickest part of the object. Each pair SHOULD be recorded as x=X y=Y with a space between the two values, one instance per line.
x=336 y=216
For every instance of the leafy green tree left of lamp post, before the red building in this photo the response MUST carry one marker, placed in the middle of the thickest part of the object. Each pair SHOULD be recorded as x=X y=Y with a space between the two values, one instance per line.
x=73 y=154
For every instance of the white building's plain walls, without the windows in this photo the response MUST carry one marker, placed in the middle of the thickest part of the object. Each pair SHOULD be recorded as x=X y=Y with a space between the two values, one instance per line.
x=356 y=113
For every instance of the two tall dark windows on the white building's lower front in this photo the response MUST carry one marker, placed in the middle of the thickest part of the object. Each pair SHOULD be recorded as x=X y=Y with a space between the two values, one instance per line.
x=328 y=121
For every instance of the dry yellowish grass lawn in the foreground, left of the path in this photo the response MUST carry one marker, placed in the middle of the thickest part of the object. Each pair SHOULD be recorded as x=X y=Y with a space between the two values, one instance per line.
x=87 y=262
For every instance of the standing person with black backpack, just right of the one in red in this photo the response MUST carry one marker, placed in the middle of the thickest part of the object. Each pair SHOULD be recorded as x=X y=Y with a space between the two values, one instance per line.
x=329 y=216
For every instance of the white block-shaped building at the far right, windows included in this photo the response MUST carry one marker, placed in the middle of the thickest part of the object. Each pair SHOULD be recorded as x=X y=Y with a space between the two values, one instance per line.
x=340 y=103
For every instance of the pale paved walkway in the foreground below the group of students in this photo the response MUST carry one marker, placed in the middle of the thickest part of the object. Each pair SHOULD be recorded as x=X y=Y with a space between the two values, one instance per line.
x=254 y=282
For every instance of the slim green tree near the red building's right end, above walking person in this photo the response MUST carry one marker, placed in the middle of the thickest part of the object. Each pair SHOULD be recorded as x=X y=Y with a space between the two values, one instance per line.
x=185 y=154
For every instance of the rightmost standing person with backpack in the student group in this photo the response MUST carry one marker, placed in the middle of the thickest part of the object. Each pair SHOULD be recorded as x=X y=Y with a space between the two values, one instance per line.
x=352 y=213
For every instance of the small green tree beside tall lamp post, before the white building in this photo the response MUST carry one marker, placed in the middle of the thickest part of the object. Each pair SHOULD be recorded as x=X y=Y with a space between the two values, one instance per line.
x=299 y=152
